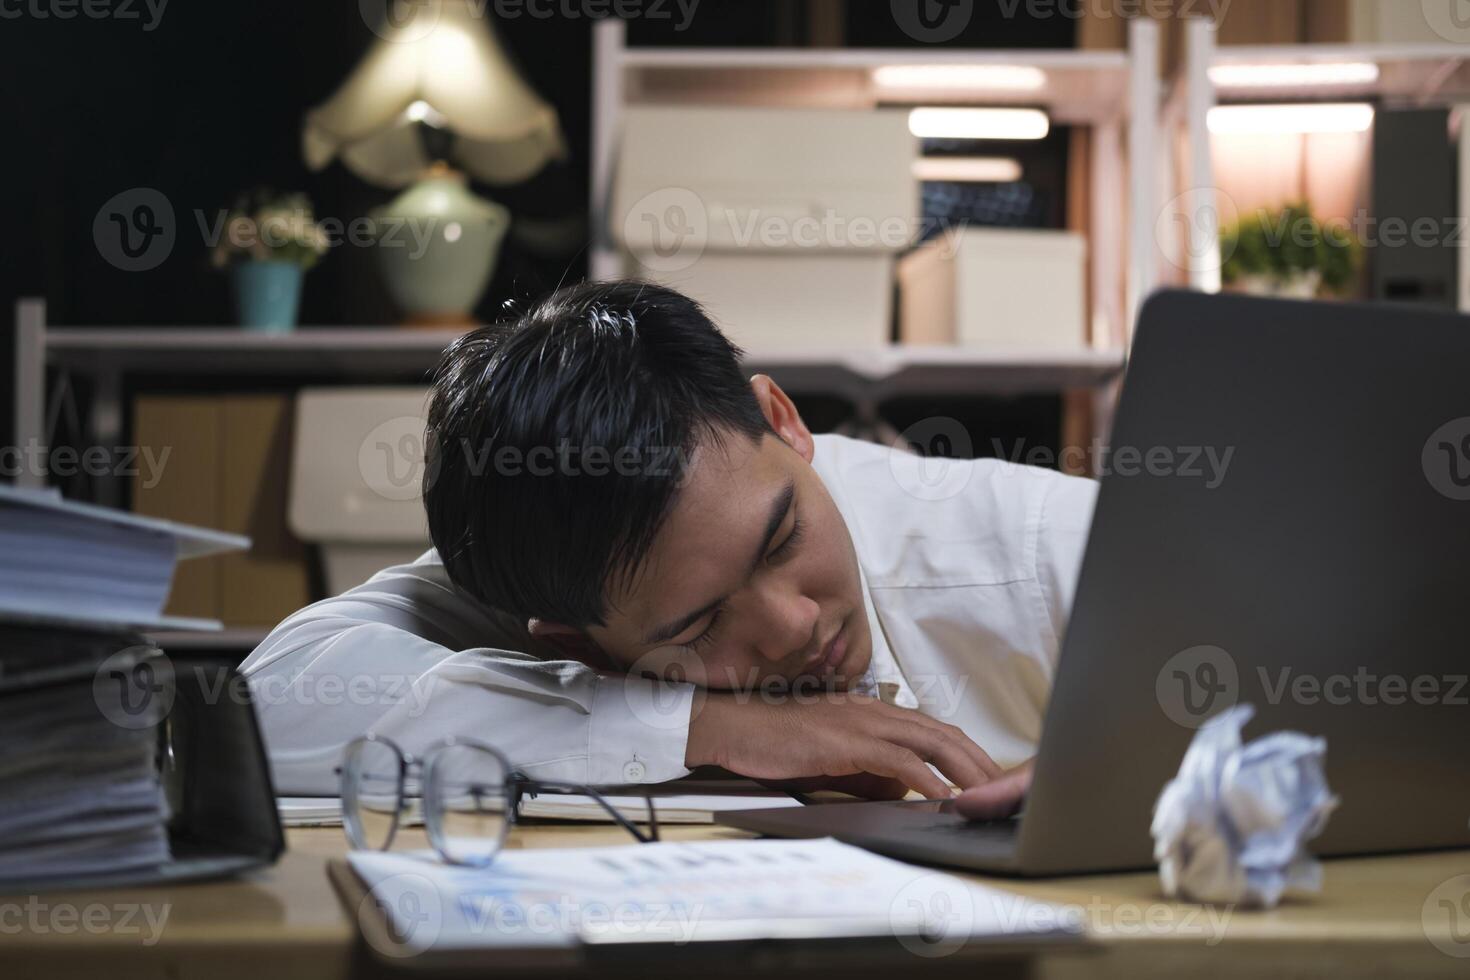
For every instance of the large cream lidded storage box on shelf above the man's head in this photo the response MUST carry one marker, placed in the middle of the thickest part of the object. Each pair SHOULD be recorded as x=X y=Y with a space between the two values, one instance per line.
x=784 y=223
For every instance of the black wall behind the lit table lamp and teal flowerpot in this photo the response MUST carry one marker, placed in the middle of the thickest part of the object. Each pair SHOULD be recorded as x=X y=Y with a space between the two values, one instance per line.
x=201 y=108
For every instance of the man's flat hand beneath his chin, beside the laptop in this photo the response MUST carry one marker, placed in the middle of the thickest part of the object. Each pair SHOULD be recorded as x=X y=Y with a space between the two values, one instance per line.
x=834 y=734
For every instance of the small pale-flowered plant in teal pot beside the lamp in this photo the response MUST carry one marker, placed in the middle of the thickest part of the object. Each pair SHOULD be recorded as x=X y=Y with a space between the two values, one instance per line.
x=270 y=242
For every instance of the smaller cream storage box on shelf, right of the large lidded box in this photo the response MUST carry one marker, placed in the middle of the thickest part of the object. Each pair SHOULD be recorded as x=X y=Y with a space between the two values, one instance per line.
x=990 y=287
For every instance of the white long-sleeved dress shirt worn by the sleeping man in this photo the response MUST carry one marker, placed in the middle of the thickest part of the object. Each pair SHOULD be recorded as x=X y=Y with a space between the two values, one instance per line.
x=968 y=577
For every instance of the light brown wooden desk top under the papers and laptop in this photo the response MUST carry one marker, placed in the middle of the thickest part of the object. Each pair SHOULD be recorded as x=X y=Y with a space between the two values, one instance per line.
x=1378 y=918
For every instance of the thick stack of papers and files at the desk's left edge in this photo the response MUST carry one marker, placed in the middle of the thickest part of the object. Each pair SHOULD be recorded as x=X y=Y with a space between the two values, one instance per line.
x=83 y=697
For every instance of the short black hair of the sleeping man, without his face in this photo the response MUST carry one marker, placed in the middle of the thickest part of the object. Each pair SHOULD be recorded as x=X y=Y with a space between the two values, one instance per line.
x=631 y=371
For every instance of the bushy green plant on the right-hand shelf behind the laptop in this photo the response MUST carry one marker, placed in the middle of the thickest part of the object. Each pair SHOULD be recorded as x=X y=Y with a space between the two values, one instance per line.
x=1288 y=253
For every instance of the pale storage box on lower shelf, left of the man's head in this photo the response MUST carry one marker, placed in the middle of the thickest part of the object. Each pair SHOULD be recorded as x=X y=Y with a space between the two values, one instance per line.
x=356 y=480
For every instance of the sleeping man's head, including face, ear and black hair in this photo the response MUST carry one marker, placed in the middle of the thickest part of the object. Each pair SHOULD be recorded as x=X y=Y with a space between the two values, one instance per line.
x=602 y=468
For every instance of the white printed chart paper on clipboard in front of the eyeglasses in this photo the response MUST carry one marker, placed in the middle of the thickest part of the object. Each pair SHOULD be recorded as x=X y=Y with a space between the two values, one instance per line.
x=690 y=893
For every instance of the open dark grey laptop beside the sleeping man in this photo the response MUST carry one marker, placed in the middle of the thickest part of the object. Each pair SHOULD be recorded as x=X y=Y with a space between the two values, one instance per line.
x=1321 y=575
